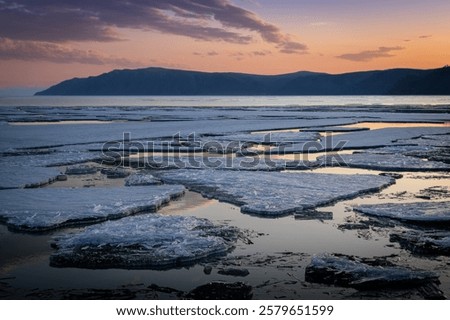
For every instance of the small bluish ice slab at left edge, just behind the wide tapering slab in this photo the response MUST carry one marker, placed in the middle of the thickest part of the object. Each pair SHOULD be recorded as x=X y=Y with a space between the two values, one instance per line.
x=15 y=174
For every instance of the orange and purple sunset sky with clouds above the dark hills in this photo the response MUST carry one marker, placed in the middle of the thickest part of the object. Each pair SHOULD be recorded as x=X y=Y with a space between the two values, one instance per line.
x=43 y=42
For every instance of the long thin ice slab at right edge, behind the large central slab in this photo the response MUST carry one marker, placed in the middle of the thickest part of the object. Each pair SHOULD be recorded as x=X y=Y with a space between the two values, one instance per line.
x=387 y=162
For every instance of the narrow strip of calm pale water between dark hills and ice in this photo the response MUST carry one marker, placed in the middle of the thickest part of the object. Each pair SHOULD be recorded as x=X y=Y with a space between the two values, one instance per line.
x=223 y=101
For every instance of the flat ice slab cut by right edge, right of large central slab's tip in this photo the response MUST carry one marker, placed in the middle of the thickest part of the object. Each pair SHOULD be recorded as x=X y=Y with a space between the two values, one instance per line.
x=437 y=213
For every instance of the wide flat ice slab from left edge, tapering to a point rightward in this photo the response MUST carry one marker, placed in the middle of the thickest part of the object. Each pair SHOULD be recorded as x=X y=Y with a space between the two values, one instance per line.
x=35 y=210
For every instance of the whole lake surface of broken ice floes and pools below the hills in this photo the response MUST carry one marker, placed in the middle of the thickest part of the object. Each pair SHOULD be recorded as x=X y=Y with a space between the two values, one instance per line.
x=213 y=197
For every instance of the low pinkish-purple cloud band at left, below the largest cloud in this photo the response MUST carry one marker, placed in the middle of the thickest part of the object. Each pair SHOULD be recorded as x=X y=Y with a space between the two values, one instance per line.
x=46 y=51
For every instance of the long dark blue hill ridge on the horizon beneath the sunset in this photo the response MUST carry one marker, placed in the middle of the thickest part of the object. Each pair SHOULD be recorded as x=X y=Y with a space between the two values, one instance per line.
x=160 y=81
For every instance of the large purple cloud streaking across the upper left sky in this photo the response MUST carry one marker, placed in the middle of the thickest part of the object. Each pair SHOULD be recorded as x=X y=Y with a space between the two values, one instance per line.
x=101 y=20
